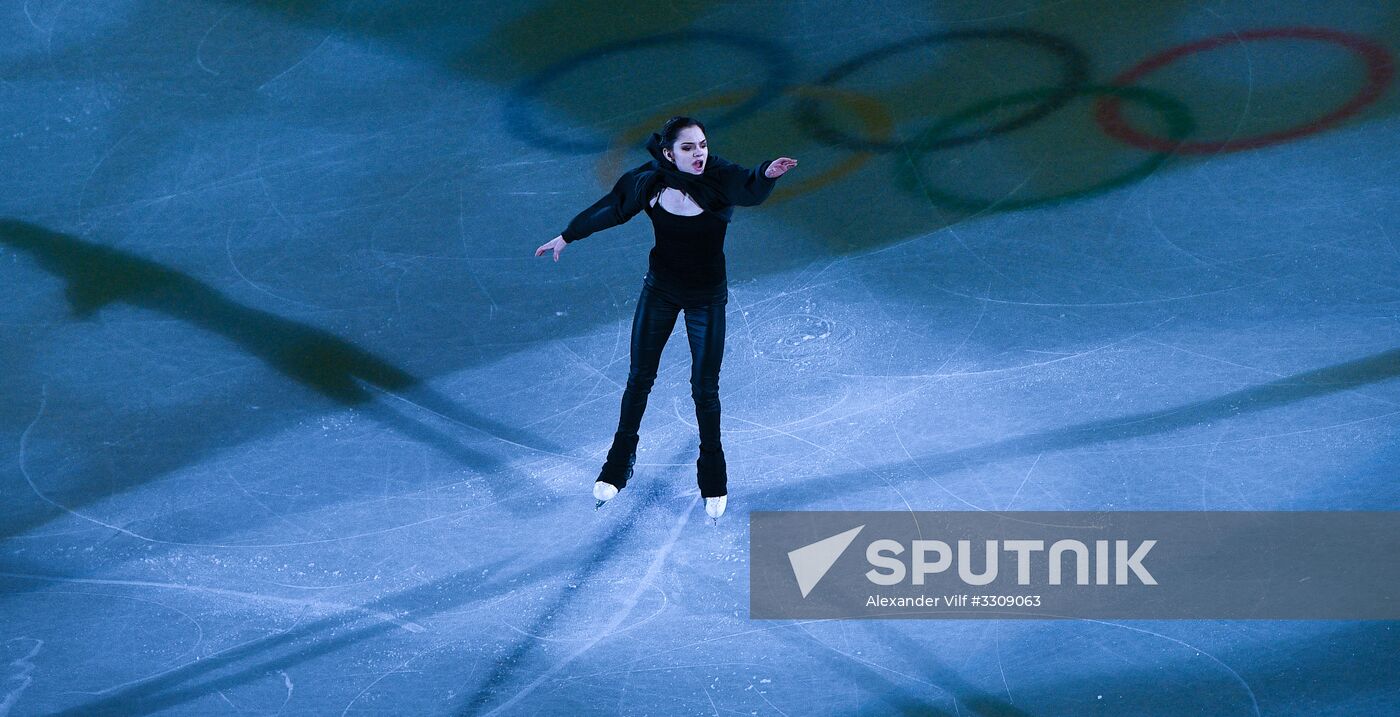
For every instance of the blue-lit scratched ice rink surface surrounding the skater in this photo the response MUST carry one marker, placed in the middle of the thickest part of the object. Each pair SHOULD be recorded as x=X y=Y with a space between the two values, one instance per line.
x=297 y=425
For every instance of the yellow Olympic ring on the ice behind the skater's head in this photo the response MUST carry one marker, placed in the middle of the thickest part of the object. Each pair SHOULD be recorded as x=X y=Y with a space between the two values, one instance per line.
x=871 y=114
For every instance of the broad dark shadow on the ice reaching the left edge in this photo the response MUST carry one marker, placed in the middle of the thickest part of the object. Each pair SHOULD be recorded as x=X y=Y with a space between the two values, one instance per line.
x=100 y=277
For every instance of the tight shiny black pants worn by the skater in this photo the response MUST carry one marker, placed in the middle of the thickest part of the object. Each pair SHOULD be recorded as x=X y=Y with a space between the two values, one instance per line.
x=652 y=327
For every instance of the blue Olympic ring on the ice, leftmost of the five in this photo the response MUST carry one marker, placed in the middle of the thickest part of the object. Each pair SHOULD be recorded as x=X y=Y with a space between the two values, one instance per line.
x=779 y=68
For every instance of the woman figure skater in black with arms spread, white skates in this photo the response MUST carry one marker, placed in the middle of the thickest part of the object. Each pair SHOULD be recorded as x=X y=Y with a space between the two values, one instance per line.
x=689 y=197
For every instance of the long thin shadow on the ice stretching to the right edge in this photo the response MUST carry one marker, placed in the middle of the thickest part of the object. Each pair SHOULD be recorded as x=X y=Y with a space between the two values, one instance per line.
x=1289 y=390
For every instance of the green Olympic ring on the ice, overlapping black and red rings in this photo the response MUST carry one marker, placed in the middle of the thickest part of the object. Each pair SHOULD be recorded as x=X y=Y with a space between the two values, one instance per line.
x=1178 y=120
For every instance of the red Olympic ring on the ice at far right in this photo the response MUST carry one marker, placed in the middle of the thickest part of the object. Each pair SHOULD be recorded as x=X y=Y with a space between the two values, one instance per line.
x=1380 y=72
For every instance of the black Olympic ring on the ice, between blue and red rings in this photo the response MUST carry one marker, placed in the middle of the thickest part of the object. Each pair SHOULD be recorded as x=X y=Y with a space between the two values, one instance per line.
x=1076 y=76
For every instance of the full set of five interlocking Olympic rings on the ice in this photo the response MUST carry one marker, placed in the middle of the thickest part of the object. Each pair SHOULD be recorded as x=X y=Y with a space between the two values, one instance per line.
x=878 y=132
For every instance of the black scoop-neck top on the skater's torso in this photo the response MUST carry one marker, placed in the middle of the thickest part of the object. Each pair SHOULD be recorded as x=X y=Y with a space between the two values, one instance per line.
x=688 y=261
